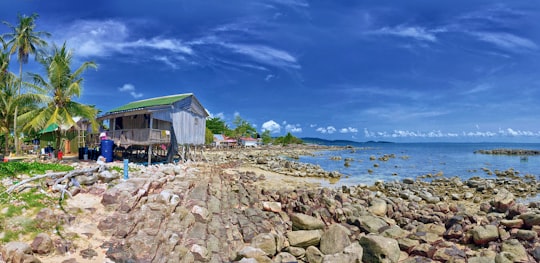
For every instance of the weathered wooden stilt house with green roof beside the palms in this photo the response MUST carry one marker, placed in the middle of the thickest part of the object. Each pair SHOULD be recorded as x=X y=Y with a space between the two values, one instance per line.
x=152 y=121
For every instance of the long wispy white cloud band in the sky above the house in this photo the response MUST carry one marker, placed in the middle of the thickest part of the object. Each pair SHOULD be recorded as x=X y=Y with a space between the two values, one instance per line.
x=106 y=38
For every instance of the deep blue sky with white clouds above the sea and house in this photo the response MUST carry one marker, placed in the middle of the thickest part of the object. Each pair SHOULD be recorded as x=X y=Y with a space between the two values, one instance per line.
x=358 y=70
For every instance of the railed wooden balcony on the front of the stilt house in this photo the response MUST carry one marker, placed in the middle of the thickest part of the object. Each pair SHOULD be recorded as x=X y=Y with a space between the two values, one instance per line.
x=128 y=137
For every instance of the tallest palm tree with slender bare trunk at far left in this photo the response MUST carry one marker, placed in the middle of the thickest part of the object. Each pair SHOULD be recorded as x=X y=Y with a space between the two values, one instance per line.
x=24 y=41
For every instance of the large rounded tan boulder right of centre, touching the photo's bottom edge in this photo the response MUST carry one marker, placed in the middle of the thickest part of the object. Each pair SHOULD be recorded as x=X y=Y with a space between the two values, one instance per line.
x=378 y=249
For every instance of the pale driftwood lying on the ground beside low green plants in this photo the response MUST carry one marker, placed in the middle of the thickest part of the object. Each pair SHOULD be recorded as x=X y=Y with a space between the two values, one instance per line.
x=59 y=178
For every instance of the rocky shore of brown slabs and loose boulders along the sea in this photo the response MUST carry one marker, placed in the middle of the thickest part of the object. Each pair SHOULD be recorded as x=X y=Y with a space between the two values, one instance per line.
x=221 y=211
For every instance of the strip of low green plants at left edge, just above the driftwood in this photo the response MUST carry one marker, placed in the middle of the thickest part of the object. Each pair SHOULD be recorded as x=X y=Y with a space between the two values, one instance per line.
x=15 y=168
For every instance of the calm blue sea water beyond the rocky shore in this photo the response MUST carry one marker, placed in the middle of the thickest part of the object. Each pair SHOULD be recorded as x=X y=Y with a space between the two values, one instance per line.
x=417 y=159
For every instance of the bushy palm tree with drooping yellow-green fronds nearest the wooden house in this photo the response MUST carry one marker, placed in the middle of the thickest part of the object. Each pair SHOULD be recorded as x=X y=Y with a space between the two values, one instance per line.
x=61 y=87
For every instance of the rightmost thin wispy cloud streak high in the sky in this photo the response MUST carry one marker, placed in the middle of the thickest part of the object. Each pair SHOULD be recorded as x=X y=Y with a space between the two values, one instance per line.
x=506 y=40
